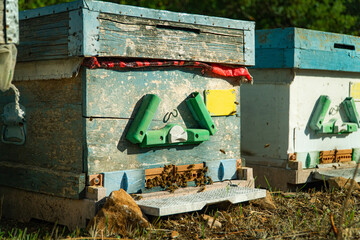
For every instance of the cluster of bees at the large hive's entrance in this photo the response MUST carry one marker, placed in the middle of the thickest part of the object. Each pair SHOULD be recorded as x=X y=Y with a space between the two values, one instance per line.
x=171 y=179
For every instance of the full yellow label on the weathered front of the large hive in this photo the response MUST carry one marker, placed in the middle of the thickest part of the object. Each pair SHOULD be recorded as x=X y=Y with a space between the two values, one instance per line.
x=221 y=102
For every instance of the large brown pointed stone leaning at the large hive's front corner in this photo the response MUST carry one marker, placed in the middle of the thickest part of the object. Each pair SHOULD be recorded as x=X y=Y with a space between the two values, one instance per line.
x=119 y=215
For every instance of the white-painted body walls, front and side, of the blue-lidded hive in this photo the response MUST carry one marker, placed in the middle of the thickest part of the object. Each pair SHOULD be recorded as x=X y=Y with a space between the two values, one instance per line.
x=277 y=108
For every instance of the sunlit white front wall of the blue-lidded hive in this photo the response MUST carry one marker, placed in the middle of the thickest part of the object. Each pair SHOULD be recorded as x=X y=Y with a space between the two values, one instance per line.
x=304 y=92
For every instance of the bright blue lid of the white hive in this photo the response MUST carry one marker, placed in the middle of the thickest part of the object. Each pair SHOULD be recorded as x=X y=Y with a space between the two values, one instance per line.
x=306 y=49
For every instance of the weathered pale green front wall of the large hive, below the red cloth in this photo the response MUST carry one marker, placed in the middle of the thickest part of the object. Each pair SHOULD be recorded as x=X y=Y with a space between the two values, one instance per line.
x=111 y=101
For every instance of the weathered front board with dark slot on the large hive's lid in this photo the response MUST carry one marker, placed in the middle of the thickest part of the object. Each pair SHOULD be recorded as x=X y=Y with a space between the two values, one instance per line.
x=147 y=38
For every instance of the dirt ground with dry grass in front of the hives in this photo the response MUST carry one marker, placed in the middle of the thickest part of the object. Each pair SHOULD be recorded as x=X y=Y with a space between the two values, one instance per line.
x=307 y=214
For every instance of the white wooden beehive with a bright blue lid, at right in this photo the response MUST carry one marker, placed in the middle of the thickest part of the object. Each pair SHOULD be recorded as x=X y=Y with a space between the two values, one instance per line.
x=299 y=74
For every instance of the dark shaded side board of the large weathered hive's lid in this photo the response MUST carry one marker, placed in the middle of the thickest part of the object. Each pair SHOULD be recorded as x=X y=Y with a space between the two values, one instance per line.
x=44 y=37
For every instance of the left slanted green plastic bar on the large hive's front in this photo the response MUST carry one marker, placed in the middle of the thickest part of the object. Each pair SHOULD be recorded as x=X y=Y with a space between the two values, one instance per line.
x=143 y=118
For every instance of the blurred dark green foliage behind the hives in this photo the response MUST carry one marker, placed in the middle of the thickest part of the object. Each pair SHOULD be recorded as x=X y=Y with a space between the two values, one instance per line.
x=341 y=16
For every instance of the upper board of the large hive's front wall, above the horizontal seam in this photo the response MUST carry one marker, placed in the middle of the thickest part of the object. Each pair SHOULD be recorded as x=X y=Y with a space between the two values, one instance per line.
x=117 y=94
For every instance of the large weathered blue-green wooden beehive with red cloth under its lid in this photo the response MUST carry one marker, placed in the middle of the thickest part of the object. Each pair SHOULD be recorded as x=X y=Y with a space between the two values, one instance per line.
x=77 y=118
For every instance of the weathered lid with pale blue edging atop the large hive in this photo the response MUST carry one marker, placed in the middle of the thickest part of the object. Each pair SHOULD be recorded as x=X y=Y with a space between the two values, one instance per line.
x=94 y=28
